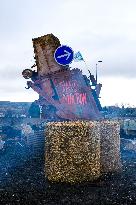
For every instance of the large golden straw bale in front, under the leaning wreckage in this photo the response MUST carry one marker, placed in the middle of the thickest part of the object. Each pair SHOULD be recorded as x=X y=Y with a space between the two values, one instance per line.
x=72 y=151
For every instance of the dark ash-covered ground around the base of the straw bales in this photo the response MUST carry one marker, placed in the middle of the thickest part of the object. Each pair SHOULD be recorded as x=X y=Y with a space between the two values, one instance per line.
x=22 y=181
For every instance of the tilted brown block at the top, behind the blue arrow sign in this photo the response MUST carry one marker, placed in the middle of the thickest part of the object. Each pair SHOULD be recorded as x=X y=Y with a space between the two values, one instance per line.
x=44 y=48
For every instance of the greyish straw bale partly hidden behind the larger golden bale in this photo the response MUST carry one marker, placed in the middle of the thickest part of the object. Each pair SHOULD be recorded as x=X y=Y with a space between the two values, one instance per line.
x=109 y=146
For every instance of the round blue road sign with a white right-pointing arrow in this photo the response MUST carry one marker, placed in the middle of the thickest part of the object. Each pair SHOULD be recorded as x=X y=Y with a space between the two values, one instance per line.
x=64 y=55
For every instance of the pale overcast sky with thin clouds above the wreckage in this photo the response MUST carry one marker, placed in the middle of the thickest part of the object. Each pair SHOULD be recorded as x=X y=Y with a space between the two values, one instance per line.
x=101 y=29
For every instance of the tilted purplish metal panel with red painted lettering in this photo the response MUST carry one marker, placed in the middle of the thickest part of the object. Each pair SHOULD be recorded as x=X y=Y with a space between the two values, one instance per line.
x=75 y=100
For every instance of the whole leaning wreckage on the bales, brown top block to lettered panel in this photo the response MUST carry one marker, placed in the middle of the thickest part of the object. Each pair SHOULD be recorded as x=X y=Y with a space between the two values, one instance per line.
x=64 y=93
